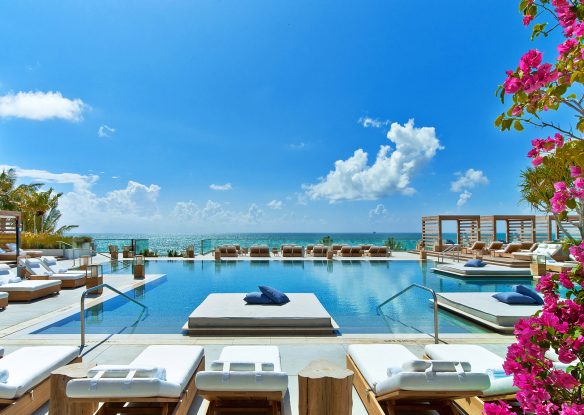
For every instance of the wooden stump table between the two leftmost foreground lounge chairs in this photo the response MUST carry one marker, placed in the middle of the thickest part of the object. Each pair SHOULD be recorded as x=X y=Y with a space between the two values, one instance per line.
x=60 y=404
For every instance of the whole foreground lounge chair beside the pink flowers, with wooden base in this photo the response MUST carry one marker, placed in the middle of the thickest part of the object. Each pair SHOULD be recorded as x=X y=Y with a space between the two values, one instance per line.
x=481 y=360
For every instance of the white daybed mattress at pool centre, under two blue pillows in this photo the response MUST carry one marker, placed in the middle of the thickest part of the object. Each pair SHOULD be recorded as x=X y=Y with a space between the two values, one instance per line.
x=229 y=311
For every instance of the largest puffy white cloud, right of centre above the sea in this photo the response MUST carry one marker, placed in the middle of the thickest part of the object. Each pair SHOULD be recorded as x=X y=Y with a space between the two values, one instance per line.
x=392 y=171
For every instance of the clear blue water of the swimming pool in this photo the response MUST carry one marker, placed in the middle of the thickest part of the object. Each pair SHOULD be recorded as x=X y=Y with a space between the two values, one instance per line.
x=349 y=290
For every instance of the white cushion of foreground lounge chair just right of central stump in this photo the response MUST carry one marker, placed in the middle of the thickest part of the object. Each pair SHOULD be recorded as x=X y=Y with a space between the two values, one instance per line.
x=373 y=361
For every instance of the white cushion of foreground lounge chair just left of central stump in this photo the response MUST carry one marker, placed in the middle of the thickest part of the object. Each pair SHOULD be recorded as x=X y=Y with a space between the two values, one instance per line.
x=266 y=357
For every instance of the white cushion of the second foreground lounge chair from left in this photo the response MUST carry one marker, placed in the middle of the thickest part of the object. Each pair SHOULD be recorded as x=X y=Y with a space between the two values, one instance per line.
x=179 y=362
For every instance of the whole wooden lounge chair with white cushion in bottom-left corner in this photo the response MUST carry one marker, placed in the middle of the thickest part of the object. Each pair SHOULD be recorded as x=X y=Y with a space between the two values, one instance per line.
x=28 y=371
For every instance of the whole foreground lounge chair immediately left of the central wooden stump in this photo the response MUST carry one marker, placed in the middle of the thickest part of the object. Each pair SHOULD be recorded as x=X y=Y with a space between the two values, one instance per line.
x=244 y=373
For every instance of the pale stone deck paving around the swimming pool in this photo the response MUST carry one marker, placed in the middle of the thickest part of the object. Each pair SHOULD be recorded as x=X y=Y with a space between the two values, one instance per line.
x=19 y=320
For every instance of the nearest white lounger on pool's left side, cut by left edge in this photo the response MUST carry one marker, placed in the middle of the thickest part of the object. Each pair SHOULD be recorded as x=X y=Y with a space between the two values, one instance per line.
x=25 y=290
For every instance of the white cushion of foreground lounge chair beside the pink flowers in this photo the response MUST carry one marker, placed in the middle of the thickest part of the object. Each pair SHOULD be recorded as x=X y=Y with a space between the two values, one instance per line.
x=480 y=359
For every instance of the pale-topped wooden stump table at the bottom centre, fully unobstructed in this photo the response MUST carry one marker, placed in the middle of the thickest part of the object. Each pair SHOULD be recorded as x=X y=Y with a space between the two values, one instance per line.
x=325 y=389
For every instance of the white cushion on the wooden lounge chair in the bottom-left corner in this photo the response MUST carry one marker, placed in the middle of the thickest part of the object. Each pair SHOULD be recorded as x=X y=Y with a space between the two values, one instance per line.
x=29 y=366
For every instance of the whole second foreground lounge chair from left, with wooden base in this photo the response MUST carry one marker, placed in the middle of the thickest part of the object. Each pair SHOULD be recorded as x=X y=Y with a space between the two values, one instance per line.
x=161 y=378
